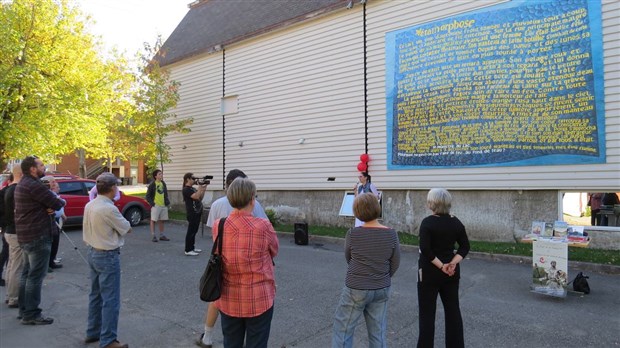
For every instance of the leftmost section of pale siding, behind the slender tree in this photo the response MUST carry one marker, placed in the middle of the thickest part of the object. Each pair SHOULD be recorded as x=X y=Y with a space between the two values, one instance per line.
x=200 y=93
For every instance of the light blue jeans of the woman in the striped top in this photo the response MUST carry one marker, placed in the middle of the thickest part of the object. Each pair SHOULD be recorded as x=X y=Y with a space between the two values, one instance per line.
x=354 y=303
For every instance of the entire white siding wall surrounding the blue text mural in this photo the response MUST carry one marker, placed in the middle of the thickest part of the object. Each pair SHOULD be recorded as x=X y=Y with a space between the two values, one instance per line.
x=306 y=81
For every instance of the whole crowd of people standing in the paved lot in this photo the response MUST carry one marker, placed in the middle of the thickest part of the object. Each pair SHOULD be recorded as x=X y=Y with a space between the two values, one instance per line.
x=32 y=218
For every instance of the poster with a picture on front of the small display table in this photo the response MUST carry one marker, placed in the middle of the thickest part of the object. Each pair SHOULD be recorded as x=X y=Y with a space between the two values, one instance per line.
x=550 y=267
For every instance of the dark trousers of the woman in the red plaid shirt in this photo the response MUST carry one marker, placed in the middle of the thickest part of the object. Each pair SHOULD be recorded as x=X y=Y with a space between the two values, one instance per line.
x=256 y=328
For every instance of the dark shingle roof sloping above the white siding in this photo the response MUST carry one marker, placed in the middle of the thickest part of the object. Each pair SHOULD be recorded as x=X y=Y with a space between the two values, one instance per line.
x=210 y=23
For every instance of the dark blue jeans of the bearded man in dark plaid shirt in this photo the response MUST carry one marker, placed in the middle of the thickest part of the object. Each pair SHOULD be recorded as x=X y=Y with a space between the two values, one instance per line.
x=36 y=256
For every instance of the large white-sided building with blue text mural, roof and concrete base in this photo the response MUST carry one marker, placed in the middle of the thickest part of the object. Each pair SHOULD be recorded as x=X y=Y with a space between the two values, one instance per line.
x=293 y=92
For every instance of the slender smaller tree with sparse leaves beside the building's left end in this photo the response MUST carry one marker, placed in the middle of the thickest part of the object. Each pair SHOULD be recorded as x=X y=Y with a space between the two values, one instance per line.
x=153 y=120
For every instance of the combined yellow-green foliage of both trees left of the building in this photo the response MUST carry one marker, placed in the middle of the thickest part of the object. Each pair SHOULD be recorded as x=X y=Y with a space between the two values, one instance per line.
x=58 y=94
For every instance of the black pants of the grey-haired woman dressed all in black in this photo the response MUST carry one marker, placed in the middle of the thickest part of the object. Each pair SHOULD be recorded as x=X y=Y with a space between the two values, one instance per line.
x=436 y=282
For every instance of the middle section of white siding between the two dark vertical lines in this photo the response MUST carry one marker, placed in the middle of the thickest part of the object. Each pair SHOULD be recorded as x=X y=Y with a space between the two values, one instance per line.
x=306 y=82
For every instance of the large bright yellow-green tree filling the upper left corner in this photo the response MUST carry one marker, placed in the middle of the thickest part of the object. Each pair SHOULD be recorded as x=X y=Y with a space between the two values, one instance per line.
x=56 y=93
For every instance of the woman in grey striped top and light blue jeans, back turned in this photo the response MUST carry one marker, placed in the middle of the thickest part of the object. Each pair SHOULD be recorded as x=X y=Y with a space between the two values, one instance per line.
x=373 y=254
